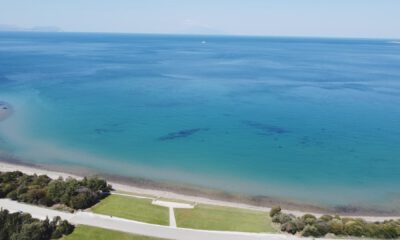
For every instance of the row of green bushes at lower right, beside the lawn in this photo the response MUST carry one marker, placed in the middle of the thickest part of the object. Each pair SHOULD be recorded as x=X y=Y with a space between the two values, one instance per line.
x=310 y=226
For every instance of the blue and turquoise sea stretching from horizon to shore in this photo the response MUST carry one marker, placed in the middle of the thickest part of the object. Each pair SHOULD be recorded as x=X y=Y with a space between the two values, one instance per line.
x=312 y=120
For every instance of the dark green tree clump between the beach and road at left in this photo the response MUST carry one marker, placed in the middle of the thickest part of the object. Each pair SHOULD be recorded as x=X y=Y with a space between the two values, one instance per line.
x=67 y=193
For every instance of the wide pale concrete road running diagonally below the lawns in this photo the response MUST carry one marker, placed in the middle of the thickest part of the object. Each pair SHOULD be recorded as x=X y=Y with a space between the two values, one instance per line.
x=134 y=227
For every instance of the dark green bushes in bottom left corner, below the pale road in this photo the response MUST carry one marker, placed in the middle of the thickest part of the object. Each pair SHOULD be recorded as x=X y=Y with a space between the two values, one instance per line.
x=21 y=226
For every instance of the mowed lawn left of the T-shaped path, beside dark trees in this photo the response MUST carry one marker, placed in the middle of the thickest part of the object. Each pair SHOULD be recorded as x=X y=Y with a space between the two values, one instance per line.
x=133 y=208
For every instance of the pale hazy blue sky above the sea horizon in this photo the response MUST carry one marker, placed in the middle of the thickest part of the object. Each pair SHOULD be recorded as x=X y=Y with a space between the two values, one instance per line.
x=339 y=18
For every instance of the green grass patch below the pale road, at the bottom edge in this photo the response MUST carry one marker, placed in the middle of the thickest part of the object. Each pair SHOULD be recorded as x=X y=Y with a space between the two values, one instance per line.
x=83 y=232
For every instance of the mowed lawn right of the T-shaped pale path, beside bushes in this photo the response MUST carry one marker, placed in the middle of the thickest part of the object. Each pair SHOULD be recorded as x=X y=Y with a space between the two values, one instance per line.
x=210 y=217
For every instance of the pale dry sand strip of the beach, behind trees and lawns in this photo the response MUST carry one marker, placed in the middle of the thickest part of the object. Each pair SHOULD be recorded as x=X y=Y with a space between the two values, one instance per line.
x=132 y=188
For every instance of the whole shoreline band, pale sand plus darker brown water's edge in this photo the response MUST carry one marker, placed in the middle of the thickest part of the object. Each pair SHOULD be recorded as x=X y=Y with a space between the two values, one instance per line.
x=185 y=193
